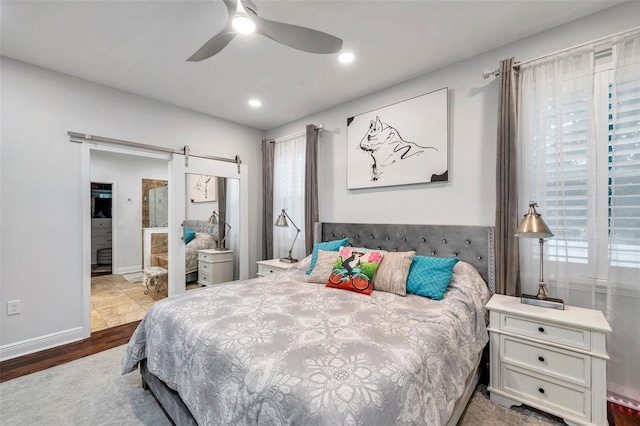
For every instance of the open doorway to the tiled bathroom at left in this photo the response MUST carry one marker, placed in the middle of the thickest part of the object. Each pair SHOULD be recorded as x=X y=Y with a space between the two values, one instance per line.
x=118 y=200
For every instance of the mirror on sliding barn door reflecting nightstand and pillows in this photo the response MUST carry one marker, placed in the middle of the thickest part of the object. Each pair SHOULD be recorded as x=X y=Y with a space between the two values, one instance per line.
x=213 y=215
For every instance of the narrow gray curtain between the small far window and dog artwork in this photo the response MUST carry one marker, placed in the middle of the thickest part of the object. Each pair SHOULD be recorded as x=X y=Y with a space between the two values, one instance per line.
x=310 y=186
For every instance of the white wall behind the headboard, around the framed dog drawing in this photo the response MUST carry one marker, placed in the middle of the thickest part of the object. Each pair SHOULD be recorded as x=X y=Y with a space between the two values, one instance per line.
x=469 y=196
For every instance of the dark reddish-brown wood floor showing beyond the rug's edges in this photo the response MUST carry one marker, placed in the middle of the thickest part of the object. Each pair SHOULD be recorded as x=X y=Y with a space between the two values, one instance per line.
x=116 y=336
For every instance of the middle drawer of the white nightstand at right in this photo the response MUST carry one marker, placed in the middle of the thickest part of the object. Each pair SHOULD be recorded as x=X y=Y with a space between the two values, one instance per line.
x=564 y=365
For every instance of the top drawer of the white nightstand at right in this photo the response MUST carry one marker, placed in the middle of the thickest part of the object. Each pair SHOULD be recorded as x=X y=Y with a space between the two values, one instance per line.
x=563 y=335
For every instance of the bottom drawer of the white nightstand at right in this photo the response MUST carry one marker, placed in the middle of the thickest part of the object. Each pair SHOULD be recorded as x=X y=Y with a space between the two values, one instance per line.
x=573 y=401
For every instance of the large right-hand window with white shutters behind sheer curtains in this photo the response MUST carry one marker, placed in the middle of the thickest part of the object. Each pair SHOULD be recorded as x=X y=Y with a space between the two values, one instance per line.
x=580 y=140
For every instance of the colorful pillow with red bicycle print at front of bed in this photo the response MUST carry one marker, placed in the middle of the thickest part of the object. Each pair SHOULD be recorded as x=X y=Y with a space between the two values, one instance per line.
x=354 y=270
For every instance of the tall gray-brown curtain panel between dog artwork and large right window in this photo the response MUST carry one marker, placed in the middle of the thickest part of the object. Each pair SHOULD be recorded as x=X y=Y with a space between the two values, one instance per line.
x=507 y=209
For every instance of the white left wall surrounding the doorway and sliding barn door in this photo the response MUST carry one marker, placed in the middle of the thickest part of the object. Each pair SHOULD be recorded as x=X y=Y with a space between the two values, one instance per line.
x=40 y=188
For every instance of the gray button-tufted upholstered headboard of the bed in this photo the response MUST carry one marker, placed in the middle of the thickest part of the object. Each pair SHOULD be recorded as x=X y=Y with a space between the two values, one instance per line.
x=472 y=244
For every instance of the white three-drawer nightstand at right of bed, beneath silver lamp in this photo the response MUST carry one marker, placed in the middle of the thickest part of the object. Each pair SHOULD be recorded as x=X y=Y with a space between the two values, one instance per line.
x=549 y=359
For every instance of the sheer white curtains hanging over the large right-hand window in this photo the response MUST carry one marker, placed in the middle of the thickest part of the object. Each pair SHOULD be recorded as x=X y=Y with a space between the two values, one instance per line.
x=572 y=163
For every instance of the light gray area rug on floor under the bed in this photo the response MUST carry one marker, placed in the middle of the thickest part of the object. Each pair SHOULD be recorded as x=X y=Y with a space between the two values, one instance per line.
x=91 y=391
